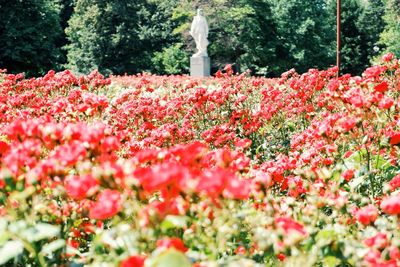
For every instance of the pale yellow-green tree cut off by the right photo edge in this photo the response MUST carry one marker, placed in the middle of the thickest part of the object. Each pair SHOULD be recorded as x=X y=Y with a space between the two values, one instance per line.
x=391 y=34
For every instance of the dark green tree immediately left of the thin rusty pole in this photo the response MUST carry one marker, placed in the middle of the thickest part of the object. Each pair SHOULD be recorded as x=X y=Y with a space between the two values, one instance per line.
x=306 y=34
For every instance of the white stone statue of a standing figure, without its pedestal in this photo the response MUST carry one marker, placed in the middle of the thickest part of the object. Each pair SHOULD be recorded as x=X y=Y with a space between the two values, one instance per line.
x=199 y=31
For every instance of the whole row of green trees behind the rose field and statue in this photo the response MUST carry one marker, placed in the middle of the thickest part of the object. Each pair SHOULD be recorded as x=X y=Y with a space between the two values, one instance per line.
x=131 y=36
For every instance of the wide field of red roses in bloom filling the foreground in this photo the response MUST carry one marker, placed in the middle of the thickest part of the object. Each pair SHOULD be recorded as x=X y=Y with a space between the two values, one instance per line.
x=174 y=171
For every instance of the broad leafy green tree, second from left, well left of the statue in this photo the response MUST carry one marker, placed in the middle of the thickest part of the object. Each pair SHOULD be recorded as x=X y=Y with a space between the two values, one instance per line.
x=104 y=35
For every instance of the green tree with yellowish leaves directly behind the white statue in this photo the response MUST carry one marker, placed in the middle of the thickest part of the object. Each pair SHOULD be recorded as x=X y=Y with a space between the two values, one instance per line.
x=241 y=31
